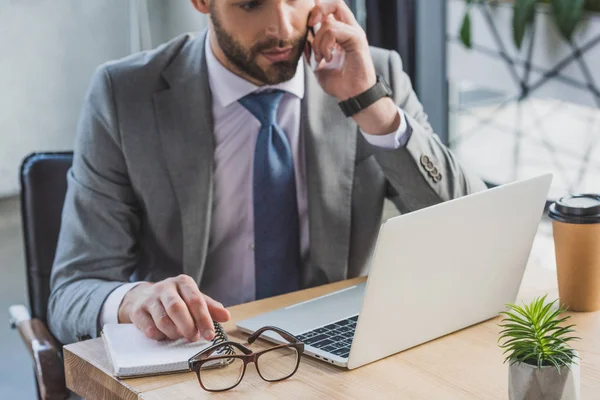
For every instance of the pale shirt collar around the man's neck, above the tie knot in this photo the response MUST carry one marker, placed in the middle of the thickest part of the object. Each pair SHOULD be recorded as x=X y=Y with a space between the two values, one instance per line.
x=227 y=88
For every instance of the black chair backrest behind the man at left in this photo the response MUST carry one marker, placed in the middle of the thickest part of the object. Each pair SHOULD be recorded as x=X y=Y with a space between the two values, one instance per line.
x=43 y=189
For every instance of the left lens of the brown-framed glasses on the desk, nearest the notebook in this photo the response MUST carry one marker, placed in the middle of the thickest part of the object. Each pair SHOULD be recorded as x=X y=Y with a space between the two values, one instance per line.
x=223 y=370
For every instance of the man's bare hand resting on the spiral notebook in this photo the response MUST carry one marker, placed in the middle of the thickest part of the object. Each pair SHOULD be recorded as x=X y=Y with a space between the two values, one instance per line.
x=173 y=308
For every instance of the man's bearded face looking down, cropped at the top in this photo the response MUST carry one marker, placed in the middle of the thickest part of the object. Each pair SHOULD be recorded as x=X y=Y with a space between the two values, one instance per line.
x=263 y=39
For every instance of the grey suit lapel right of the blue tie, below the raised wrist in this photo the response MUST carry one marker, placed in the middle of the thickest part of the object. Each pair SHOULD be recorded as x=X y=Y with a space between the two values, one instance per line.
x=330 y=141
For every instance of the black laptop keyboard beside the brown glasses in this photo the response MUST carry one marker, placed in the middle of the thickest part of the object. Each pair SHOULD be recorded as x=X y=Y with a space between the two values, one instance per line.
x=335 y=338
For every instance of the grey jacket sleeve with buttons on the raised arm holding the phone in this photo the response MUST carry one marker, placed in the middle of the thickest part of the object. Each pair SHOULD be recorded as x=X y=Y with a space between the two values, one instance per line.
x=424 y=172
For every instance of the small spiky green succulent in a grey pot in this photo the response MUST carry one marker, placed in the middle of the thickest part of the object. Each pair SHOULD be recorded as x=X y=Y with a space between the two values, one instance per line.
x=542 y=363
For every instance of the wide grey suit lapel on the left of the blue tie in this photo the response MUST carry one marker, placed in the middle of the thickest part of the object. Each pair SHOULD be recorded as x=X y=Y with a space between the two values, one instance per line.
x=185 y=122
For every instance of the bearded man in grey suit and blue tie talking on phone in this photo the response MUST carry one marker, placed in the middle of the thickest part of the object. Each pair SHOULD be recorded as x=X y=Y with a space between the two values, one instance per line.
x=227 y=167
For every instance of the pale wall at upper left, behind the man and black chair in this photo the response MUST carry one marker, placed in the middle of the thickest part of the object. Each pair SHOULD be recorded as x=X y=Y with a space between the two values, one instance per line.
x=49 y=51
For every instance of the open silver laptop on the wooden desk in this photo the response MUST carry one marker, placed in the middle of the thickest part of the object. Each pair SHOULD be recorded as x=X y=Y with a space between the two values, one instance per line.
x=433 y=272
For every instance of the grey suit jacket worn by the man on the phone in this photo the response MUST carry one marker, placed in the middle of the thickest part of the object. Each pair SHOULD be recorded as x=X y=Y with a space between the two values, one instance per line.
x=139 y=198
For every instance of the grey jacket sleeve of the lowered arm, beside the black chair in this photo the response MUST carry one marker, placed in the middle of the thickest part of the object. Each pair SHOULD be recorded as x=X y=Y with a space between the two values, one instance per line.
x=96 y=249
